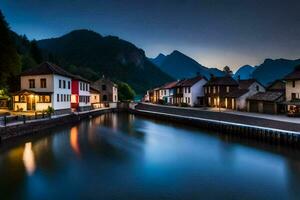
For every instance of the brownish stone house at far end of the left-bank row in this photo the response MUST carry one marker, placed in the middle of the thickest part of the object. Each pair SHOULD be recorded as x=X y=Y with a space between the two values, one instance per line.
x=108 y=90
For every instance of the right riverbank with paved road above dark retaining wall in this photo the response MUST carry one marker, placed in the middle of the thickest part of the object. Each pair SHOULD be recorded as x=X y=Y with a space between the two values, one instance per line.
x=272 y=131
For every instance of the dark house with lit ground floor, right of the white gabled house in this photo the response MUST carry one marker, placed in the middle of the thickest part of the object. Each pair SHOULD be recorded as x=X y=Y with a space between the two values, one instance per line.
x=217 y=89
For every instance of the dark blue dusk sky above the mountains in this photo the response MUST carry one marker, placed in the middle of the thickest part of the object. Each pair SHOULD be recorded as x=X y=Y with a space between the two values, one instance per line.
x=214 y=32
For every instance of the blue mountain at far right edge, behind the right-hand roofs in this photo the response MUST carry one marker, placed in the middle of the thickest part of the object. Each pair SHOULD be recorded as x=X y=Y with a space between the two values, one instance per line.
x=271 y=70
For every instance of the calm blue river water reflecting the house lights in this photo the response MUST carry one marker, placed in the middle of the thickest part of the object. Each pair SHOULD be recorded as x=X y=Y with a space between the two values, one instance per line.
x=120 y=156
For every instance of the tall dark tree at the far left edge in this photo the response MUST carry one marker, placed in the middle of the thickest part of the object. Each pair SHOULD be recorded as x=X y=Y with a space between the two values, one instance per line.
x=10 y=65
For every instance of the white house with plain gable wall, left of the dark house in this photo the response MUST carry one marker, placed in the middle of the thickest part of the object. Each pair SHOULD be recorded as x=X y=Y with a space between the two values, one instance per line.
x=192 y=90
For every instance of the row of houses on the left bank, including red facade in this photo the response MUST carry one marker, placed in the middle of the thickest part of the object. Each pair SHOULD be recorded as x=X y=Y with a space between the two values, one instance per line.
x=48 y=85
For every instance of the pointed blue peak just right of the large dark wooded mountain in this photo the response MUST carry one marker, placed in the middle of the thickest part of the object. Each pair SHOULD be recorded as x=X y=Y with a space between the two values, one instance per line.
x=178 y=66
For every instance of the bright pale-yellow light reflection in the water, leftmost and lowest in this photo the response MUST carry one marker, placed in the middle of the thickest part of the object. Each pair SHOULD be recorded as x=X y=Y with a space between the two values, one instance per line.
x=28 y=159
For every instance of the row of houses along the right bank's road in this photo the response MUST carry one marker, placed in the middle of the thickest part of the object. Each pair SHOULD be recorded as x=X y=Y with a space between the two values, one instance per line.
x=225 y=92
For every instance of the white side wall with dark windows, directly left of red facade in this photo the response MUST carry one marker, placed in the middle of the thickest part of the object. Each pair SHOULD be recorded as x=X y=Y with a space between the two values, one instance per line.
x=61 y=91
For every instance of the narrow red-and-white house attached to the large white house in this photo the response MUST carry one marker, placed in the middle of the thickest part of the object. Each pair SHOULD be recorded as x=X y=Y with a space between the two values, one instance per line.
x=80 y=99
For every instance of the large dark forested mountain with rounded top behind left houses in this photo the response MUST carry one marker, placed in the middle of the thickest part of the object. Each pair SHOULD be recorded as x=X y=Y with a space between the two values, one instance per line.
x=92 y=55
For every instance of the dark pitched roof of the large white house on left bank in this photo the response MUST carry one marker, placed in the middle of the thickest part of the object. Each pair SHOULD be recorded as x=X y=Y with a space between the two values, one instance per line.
x=46 y=68
